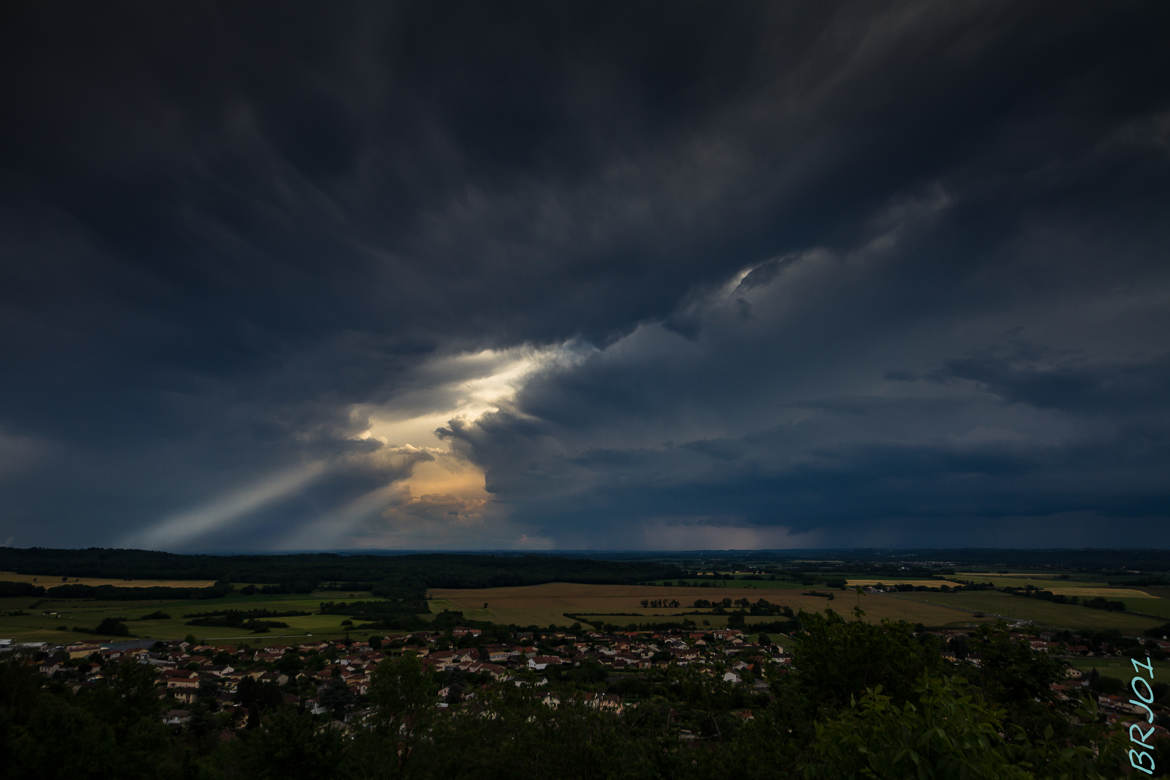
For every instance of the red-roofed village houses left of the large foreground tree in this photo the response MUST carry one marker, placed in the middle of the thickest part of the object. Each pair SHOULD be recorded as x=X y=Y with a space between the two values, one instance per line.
x=333 y=678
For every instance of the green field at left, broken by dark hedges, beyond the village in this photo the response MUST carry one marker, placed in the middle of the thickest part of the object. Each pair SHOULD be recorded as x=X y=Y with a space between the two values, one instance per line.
x=38 y=626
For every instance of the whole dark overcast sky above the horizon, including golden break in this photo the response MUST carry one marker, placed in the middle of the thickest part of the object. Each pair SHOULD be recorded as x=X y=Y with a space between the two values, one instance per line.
x=586 y=275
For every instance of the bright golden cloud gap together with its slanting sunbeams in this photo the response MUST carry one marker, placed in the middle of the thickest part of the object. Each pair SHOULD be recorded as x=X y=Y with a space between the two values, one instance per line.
x=438 y=498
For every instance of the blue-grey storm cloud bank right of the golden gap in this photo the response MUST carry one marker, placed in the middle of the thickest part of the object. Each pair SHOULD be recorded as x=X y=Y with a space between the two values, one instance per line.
x=797 y=418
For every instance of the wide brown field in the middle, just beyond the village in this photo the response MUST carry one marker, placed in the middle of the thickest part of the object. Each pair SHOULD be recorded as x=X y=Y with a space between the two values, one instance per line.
x=543 y=605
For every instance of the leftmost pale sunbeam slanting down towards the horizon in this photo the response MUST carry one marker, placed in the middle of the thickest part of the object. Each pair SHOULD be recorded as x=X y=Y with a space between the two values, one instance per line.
x=181 y=529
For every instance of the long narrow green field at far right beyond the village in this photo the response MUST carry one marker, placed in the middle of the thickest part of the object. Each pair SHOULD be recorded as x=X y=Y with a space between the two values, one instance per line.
x=1045 y=613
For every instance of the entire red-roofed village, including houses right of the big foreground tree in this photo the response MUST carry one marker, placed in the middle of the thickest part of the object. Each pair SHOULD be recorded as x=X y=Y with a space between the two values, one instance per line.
x=333 y=679
